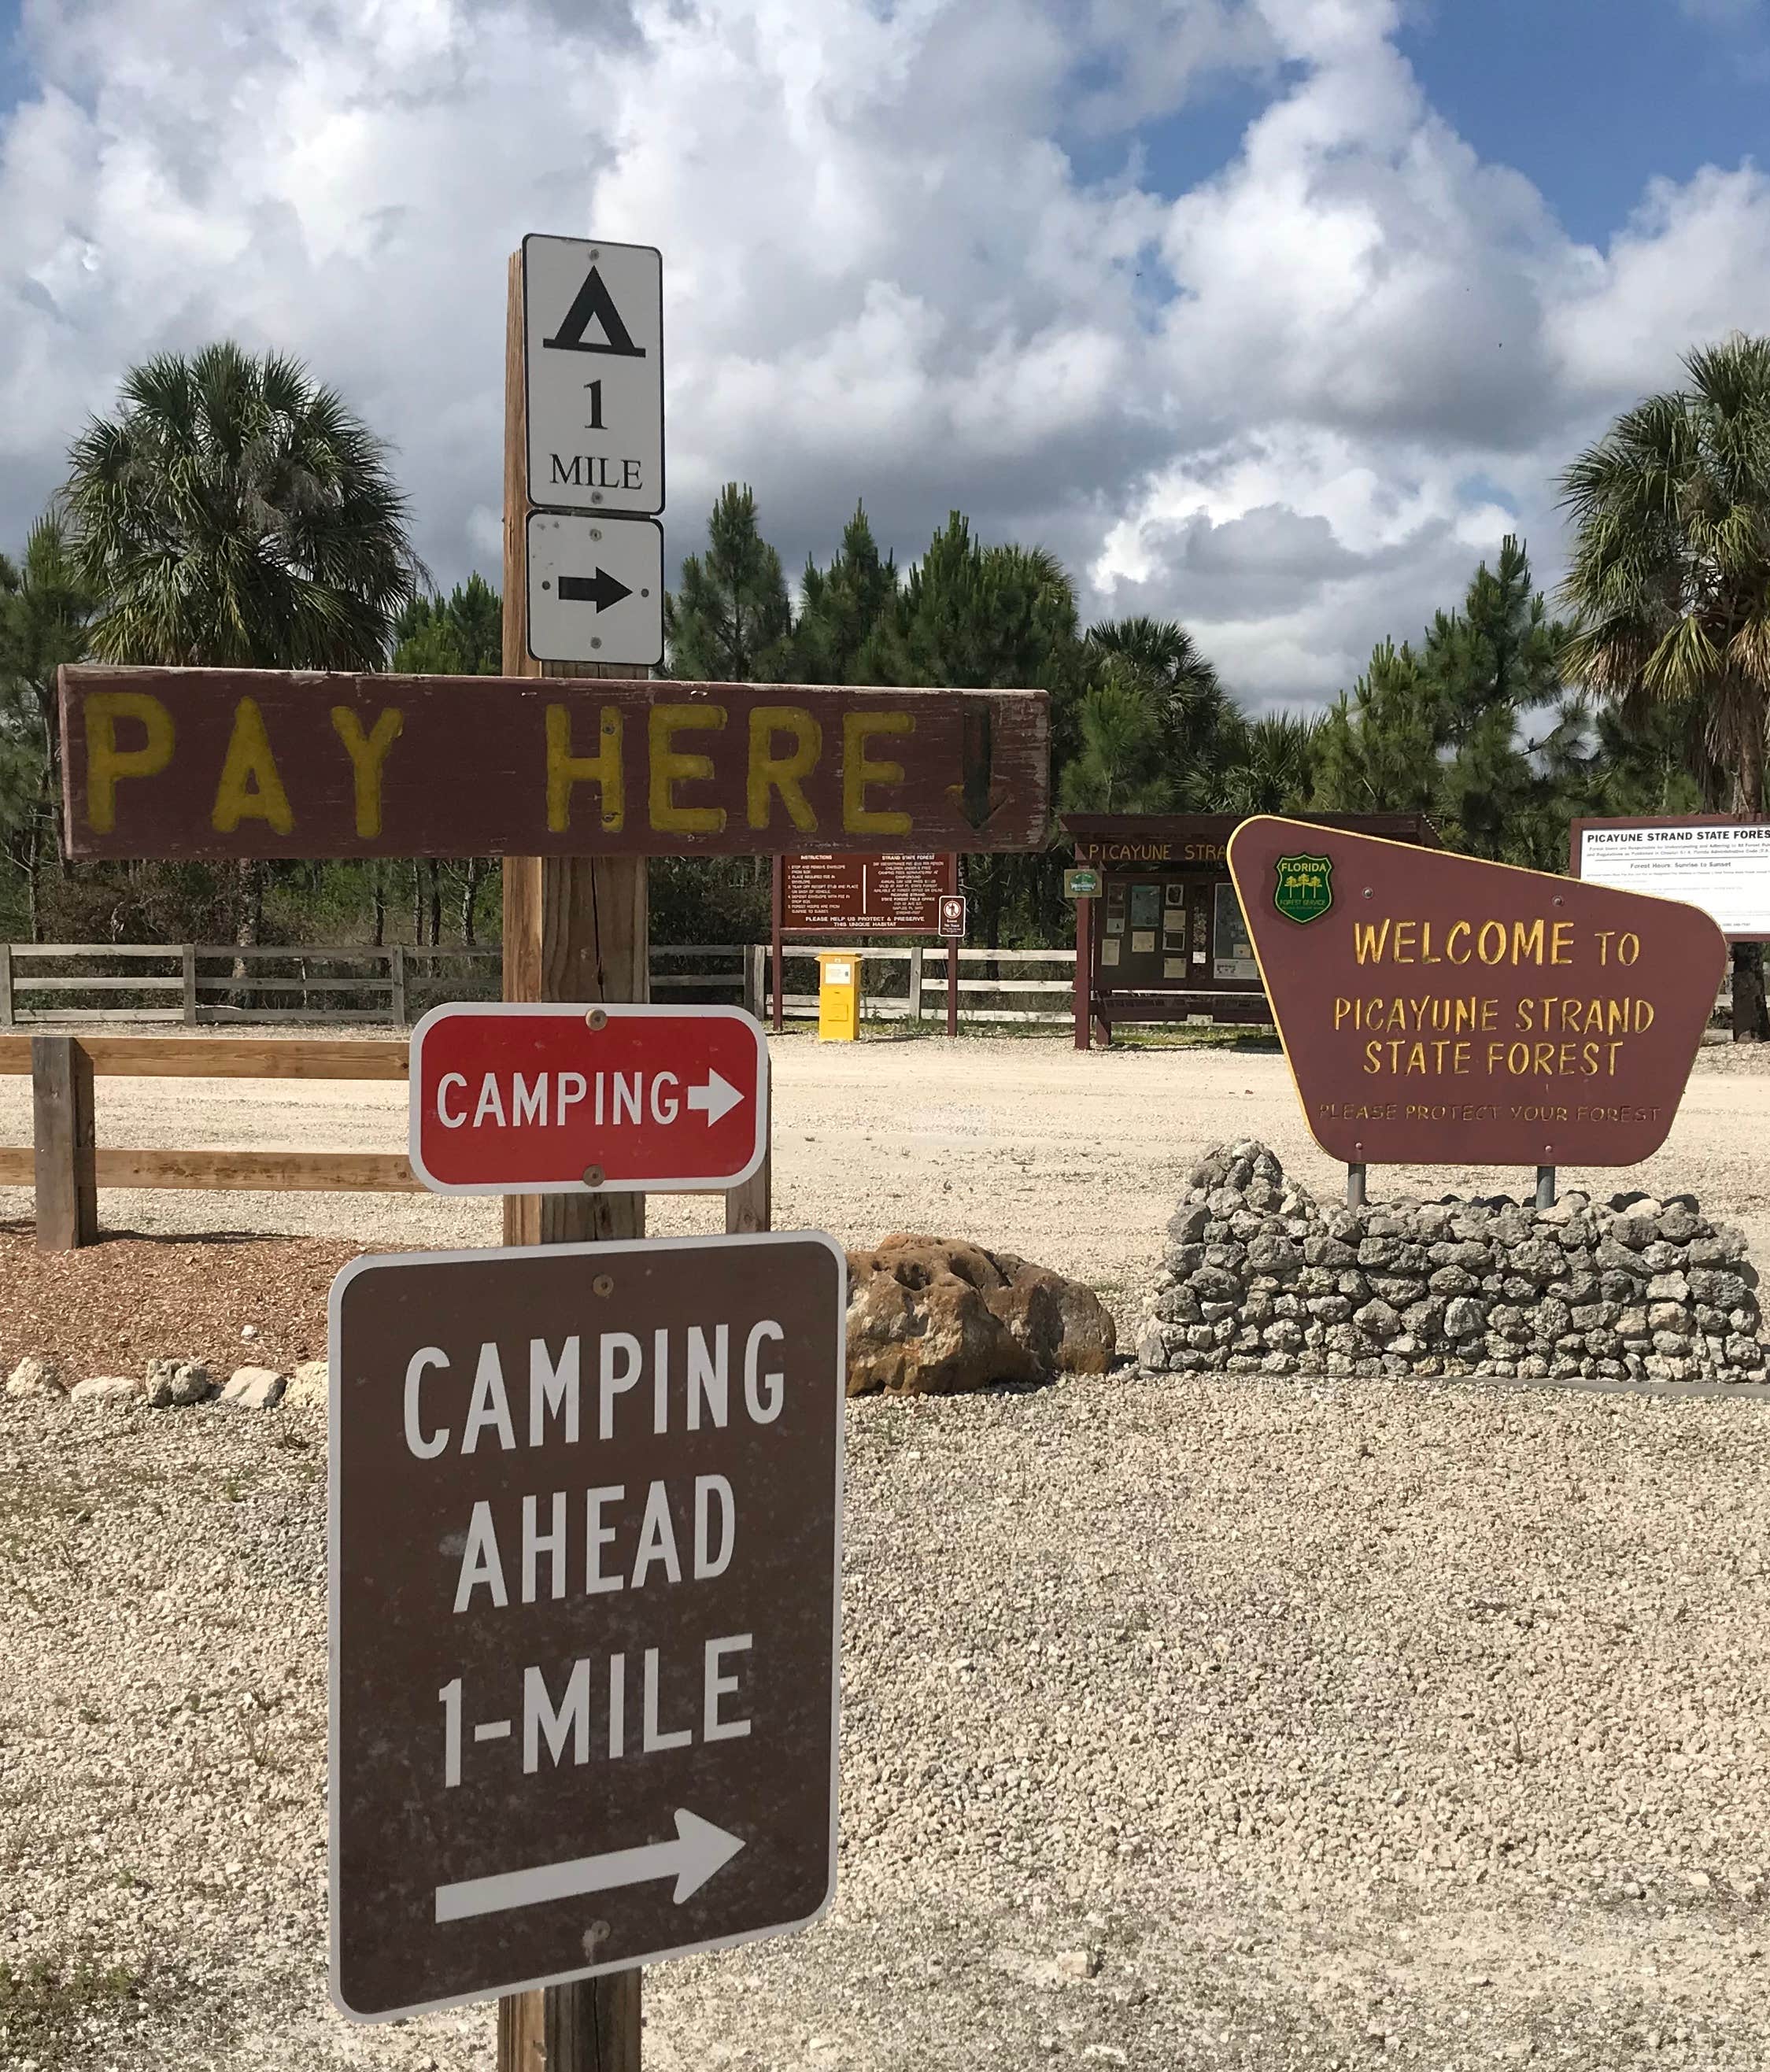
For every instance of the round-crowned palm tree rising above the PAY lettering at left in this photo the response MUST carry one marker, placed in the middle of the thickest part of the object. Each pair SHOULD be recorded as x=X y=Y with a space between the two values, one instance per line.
x=237 y=515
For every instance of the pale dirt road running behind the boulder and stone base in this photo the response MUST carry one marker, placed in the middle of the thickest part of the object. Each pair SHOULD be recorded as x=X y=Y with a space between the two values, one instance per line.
x=1019 y=1145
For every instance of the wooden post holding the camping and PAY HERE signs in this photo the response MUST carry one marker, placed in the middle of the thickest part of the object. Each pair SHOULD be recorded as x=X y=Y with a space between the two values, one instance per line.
x=575 y=929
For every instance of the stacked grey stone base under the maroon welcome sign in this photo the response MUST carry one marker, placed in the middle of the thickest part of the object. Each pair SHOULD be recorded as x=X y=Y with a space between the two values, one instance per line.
x=1263 y=1279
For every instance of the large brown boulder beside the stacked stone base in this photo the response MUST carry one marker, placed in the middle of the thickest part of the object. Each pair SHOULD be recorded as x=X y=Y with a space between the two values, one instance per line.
x=938 y=1317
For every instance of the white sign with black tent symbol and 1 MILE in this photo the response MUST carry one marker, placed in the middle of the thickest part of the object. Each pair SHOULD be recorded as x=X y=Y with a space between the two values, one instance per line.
x=594 y=368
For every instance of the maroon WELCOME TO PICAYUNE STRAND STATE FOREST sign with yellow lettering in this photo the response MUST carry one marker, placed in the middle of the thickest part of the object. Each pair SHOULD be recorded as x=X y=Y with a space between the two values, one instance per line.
x=1446 y=1010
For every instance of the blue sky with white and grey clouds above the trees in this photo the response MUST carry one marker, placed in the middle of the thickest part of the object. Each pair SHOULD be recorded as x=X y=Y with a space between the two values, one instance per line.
x=1265 y=314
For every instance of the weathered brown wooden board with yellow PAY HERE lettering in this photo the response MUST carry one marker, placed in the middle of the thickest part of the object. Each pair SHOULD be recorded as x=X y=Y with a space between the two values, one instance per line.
x=183 y=764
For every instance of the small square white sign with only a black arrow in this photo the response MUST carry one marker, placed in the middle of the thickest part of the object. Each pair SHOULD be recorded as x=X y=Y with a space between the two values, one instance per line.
x=596 y=589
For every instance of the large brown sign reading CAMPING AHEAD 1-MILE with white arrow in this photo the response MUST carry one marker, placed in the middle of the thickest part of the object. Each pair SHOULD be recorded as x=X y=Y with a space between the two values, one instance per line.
x=586 y=1592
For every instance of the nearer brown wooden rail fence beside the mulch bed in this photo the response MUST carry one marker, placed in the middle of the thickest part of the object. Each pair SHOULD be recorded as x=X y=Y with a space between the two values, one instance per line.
x=67 y=1165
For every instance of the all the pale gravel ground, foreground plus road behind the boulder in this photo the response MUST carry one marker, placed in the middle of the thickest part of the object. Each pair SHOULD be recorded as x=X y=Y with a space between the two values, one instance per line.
x=1189 y=1723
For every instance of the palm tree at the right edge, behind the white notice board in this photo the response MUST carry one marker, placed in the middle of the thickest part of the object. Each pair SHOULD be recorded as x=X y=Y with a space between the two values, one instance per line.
x=1672 y=581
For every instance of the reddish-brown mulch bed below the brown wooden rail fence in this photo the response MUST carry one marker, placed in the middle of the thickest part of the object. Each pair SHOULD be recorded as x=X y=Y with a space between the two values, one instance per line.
x=115 y=1306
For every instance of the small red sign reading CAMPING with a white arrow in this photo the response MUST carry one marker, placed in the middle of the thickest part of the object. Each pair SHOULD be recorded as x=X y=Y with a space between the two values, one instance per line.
x=559 y=1099
